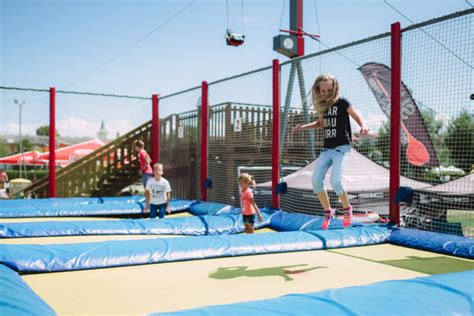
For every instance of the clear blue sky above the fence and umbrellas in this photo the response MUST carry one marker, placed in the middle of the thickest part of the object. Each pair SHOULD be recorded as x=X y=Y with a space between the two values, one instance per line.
x=56 y=43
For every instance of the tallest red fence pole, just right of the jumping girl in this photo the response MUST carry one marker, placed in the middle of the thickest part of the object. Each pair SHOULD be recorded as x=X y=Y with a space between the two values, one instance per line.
x=395 y=122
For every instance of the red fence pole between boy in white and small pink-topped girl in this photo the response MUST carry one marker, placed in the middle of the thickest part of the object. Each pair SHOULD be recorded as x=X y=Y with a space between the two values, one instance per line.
x=204 y=136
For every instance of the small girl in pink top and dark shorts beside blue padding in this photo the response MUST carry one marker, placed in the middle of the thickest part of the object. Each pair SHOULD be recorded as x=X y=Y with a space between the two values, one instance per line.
x=249 y=208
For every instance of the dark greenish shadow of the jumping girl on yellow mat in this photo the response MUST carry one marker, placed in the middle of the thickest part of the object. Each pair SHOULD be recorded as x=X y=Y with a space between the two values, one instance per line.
x=243 y=271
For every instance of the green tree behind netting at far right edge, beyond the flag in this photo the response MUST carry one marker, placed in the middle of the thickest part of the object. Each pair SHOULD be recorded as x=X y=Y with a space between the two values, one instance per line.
x=459 y=140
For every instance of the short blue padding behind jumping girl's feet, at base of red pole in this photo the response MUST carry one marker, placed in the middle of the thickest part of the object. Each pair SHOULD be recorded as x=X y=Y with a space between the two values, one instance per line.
x=284 y=221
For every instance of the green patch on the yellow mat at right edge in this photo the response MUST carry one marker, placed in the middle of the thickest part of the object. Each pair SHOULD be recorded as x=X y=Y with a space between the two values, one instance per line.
x=433 y=265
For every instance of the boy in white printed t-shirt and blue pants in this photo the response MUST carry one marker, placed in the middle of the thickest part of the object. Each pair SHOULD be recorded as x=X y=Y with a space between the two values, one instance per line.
x=157 y=193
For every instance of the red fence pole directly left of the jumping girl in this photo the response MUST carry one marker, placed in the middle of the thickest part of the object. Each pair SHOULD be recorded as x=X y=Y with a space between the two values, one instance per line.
x=276 y=133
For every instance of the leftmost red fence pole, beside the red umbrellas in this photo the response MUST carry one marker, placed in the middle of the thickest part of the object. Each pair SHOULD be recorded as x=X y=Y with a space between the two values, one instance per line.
x=52 y=142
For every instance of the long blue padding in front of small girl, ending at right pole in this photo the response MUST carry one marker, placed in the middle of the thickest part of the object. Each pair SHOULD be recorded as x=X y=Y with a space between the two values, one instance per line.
x=66 y=257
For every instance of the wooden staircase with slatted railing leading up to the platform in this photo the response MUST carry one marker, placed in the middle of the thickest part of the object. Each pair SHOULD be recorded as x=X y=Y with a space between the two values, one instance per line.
x=104 y=172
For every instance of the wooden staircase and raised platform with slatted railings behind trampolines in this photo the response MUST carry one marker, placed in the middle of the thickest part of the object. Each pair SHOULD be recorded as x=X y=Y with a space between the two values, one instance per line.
x=113 y=166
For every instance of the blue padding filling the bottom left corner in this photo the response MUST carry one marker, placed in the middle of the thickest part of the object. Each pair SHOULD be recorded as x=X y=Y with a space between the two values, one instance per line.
x=17 y=298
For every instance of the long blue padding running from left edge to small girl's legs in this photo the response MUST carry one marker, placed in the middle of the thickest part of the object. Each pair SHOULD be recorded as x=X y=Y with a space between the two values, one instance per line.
x=193 y=226
